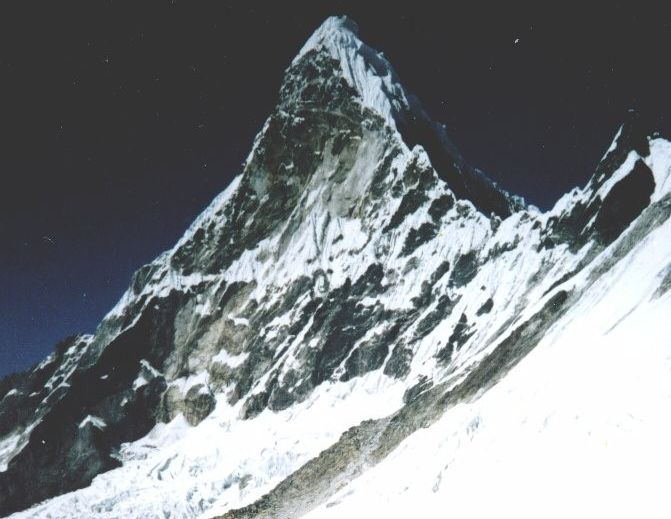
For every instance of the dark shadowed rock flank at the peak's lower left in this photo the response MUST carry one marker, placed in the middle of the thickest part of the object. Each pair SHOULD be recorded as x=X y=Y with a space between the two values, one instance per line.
x=63 y=454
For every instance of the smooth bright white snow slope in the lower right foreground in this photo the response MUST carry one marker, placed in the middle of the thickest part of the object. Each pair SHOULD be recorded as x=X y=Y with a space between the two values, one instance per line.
x=579 y=428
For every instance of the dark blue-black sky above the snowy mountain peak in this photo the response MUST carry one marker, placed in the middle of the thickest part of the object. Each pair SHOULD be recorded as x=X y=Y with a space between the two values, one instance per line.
x=120 y=121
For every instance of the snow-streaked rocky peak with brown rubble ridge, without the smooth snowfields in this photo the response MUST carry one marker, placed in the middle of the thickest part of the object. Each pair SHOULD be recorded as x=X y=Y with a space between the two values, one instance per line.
x=354 y=242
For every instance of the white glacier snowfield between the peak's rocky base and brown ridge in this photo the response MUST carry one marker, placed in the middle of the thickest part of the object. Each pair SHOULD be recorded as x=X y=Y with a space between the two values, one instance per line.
x=181 y=471
